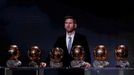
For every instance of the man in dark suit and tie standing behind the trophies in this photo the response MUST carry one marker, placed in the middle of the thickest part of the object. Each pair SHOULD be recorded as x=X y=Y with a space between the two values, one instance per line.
x=75 y=38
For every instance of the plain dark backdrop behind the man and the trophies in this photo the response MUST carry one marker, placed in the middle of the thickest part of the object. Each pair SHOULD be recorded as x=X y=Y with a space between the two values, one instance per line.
x=40 y=22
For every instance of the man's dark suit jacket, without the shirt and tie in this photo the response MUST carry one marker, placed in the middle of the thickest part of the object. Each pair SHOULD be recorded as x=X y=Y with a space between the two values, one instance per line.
x=78 y=40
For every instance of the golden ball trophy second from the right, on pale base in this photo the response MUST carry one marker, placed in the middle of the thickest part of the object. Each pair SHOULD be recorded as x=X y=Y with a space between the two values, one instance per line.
x=100 y=54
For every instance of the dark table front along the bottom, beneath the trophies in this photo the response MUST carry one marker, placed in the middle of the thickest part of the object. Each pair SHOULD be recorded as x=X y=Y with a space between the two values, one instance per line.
x=66 y=71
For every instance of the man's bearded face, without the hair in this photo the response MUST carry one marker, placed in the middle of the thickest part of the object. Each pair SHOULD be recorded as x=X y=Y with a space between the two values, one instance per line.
x=69 y=25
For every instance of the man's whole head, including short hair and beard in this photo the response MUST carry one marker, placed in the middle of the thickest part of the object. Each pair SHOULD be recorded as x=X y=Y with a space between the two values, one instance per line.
x=70 y=24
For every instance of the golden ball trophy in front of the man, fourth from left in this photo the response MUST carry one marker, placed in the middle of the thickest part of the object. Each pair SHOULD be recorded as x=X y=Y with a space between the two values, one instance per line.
x=78 y=54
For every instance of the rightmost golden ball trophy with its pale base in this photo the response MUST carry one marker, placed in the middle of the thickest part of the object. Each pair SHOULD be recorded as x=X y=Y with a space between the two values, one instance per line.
x=121 y=55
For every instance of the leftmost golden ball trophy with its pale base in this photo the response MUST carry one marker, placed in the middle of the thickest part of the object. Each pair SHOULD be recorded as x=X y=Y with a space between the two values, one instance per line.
x=14 y=54
